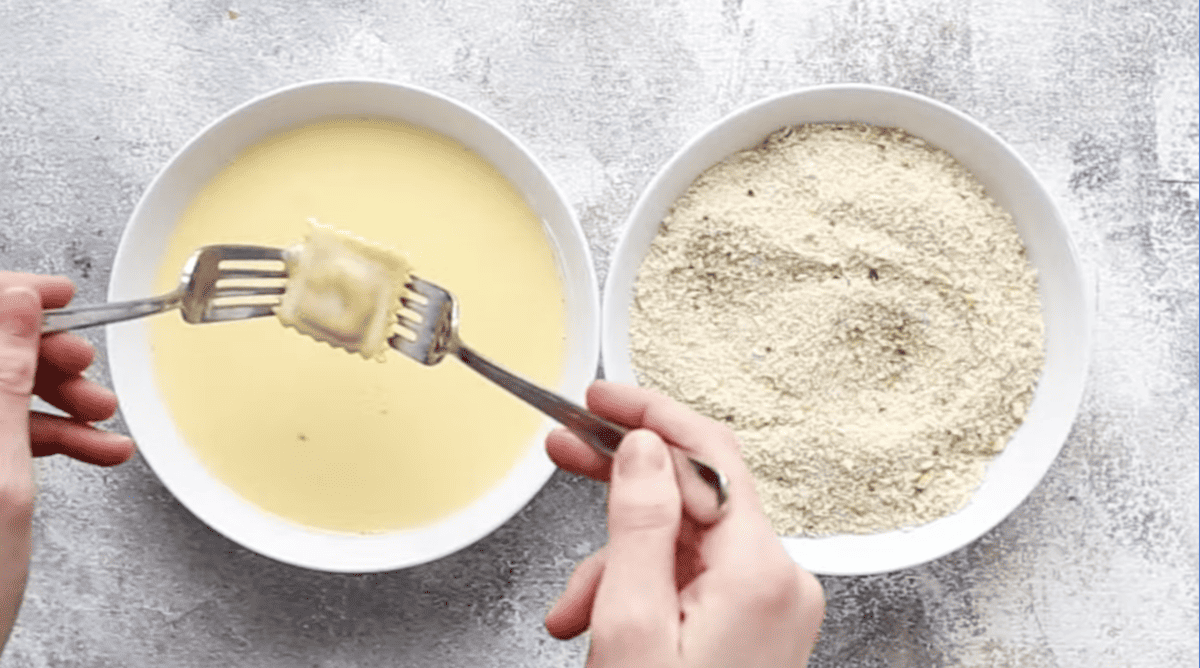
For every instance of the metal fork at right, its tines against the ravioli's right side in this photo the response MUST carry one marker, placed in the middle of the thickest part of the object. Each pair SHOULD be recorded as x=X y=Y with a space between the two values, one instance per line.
x=436 y=335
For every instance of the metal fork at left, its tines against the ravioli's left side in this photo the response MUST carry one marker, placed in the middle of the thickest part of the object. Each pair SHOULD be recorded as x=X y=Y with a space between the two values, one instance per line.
x=207 y=293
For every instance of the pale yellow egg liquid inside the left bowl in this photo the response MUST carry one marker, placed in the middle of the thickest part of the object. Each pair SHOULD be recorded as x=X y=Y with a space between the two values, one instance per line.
x=323 y=437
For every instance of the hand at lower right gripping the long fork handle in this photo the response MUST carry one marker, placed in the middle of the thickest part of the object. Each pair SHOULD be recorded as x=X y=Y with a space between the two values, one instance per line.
x=668 y=592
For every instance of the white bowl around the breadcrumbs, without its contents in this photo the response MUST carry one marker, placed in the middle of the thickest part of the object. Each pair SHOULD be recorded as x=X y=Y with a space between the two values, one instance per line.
x=1013 y=185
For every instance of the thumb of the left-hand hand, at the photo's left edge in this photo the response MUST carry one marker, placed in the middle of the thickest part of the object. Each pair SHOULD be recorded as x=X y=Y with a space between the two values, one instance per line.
x=21 y=328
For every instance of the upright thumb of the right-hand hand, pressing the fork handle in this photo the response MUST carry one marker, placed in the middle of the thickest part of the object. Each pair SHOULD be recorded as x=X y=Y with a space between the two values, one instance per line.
x=635 y=621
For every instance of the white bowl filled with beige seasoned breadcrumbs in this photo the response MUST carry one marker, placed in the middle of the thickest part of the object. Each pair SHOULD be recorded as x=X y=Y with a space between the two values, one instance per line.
x=880 y=299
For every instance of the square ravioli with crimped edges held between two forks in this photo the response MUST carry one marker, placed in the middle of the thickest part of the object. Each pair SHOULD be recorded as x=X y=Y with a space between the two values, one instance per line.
x=344 y=291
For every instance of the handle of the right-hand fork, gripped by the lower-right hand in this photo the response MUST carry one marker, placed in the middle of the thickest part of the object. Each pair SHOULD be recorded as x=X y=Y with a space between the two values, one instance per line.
x=703 y=488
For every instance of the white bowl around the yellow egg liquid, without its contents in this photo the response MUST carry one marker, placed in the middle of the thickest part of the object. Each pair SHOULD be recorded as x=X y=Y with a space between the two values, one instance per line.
x=146 y=239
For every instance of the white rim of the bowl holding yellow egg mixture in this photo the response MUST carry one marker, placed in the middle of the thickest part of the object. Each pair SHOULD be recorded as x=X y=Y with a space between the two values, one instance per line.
x=223 y=509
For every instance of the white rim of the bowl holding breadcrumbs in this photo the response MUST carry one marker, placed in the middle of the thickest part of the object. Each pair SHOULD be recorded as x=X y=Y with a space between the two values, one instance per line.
x=1054 y=407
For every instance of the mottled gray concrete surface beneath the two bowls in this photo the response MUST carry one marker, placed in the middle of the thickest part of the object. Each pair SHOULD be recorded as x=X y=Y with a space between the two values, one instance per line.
x=1097 y=569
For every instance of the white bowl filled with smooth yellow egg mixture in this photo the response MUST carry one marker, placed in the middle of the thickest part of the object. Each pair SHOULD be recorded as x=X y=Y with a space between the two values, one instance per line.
x=301 y=449
